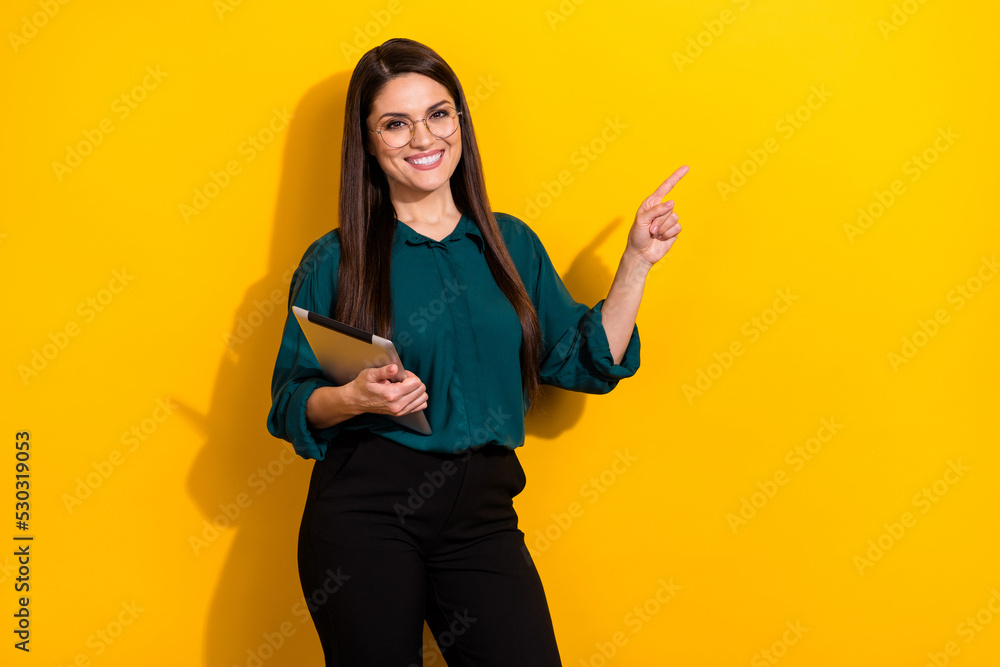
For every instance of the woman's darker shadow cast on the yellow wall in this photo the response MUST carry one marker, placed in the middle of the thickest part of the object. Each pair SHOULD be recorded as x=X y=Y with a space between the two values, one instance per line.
x=256 y=484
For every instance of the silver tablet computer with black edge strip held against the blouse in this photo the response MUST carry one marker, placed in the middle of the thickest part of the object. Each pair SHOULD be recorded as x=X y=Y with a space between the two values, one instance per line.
x=344 y=351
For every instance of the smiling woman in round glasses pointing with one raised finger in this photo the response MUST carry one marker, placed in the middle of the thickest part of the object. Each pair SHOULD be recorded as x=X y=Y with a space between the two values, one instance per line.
x=399 y=526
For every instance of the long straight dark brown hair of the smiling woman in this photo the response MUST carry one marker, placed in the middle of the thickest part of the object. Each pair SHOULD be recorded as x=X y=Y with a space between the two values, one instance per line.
x=367 y=216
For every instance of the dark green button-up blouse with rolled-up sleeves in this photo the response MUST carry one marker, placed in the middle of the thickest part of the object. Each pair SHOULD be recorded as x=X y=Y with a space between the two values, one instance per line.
x=457 y=332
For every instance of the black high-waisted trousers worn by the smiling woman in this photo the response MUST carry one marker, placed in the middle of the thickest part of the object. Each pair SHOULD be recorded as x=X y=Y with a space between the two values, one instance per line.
x=391 y=536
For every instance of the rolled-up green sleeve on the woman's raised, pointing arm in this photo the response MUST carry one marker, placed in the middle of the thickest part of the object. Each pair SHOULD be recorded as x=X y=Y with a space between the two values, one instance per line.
x=576 y=354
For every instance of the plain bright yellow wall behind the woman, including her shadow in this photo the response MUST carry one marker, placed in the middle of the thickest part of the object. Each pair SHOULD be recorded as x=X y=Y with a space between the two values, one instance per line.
x=544 y=79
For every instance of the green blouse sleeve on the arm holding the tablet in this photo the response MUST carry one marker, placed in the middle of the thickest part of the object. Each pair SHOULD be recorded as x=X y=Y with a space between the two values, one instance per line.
x=296 y=371
